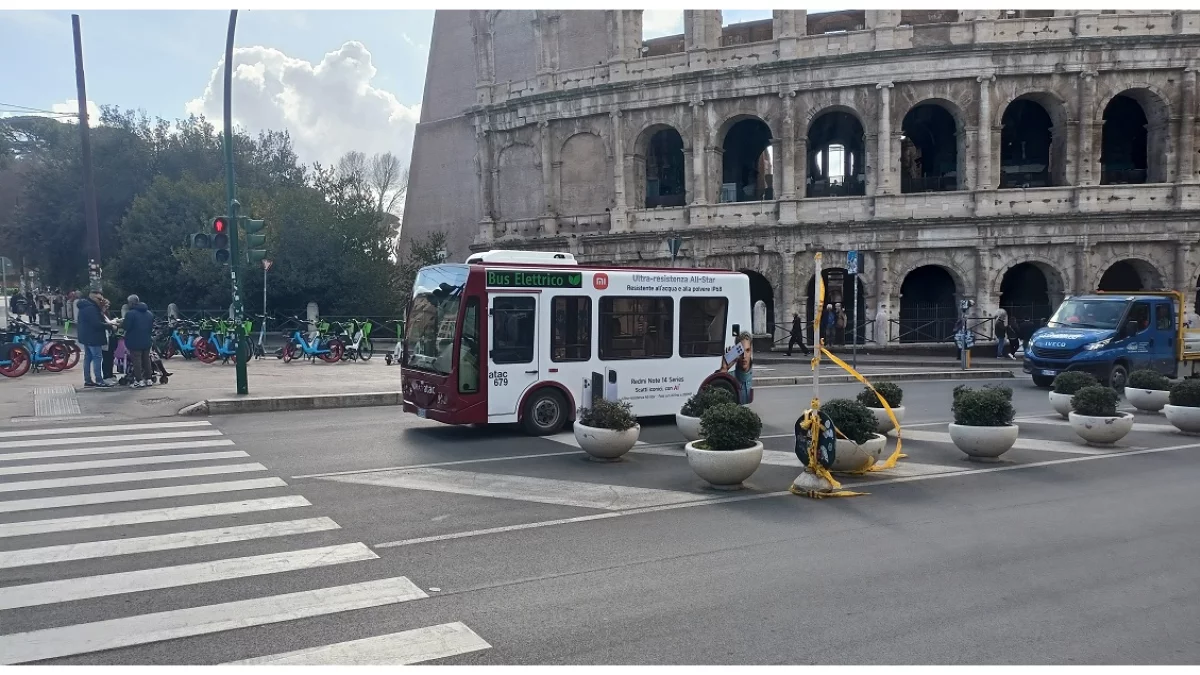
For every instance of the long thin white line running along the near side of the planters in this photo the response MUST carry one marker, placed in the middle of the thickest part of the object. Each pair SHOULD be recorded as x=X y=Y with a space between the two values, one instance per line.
x=883 y=481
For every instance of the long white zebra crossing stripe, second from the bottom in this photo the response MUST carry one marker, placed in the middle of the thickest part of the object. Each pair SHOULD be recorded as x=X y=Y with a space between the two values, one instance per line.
x=85 y=638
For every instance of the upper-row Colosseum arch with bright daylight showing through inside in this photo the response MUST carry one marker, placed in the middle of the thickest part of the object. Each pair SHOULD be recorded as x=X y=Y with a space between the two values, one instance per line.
x=827 y=130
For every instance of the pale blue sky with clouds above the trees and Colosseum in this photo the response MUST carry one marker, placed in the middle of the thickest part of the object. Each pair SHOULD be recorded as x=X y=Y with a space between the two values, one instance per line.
x=164 y=63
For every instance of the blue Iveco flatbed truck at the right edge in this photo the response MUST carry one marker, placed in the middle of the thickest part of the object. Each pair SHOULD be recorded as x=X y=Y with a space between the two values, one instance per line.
x=1113 y=334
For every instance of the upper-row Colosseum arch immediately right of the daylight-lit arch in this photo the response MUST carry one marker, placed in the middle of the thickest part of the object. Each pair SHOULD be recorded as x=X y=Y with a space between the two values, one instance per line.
x=933 y=147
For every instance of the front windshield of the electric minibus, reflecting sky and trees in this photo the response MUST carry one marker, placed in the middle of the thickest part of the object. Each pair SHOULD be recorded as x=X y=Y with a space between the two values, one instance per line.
x=434 y=318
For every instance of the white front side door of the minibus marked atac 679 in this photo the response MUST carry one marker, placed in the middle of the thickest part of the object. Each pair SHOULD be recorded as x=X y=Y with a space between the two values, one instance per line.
x=512 y=357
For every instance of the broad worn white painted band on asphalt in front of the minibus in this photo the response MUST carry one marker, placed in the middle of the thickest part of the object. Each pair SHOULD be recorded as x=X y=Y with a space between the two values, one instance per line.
x=524 y=488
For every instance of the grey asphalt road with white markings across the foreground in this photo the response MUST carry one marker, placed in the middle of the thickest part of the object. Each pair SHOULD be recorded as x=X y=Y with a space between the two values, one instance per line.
x=530 y=554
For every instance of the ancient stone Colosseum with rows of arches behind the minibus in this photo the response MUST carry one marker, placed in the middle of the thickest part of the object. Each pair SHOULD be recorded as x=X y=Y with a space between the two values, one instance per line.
x=1009 y=158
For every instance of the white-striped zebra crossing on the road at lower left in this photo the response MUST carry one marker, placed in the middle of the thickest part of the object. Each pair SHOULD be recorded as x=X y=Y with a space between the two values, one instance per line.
x=128 y=512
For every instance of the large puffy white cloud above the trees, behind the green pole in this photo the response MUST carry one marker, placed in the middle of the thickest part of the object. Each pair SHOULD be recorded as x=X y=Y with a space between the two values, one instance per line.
x=329 y=109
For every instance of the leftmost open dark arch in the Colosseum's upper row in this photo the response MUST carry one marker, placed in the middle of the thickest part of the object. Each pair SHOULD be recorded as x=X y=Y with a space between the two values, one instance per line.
x=661 y=166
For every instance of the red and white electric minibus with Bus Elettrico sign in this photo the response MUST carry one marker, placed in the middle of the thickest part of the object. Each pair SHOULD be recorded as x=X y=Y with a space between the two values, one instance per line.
x=523 y=337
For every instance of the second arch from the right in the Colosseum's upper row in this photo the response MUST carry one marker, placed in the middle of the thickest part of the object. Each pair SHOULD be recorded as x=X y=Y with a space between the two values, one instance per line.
x=1049 y=165
